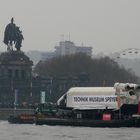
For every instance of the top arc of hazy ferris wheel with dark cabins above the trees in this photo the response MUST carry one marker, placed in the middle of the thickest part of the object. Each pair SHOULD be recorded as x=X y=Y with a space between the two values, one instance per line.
x=130 y=53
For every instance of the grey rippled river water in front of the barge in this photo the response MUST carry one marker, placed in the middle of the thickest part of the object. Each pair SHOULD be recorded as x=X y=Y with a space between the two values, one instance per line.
x=44 y=132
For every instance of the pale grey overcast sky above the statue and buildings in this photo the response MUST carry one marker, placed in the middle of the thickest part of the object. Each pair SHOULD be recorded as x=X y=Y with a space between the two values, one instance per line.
x=107 y=25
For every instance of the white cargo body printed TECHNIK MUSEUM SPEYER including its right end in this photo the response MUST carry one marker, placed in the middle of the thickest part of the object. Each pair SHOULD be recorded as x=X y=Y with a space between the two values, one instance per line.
x=86 y=98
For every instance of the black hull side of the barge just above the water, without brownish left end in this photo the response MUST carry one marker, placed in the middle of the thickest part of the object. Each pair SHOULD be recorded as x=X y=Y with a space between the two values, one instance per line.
x=89 y=123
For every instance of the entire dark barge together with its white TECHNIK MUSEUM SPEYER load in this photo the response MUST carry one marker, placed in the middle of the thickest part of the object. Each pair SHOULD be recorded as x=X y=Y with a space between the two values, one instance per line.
x=91 y=107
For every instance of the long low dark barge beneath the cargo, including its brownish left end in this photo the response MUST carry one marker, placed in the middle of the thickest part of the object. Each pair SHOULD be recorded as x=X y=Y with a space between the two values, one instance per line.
x=25 y=119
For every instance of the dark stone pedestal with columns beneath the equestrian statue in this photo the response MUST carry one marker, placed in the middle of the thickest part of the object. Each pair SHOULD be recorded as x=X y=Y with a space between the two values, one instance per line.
x=15 y=74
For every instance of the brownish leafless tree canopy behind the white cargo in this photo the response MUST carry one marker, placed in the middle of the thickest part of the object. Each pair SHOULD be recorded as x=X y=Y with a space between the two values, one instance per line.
x=101 y=72
